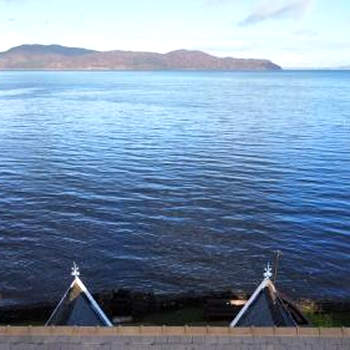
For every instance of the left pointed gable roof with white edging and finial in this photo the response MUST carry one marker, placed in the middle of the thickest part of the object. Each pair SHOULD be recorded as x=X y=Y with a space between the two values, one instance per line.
x=78 y=307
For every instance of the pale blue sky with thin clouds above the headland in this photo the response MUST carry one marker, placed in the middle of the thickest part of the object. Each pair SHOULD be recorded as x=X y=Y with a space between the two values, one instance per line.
x=292 y=33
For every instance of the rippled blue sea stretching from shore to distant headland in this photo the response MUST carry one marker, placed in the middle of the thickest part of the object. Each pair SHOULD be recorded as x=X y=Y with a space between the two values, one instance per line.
x=174 y=181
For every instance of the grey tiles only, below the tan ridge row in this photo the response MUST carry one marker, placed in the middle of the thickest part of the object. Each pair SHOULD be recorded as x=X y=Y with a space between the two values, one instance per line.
x=173 y=342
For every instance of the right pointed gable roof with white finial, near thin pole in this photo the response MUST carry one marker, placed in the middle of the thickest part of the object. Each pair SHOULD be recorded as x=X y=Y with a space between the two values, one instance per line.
x=266 y=308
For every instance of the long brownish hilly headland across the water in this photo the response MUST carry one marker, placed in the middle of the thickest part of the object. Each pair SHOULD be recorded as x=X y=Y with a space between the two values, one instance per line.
x=56 y=57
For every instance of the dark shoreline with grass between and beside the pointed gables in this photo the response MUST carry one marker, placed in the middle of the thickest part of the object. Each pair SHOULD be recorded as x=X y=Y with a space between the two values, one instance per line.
x=128 y=307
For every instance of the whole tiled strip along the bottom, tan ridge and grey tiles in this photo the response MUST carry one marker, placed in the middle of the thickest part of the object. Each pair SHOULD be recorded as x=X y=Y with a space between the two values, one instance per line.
x=173 y=338
